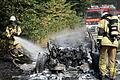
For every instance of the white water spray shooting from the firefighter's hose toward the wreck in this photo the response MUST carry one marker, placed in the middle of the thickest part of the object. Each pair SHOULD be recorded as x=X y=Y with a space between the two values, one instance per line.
x=31 y=49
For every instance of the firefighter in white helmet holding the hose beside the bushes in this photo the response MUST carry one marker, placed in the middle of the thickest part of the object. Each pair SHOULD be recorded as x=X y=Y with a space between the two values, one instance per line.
x=13 y=30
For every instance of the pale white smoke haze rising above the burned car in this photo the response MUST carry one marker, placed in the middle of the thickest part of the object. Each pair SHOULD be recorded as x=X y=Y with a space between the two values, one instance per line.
x=72 y=38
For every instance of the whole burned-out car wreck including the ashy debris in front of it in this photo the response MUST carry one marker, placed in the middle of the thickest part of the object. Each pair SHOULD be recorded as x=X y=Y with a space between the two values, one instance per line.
x=65 y=62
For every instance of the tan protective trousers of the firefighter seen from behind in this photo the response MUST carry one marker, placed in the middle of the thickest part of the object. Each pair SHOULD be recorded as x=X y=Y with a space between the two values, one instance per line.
x=107 y=53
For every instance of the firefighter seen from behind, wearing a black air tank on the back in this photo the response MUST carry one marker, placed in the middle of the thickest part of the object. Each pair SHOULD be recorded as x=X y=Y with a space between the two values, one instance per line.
x=108 y=30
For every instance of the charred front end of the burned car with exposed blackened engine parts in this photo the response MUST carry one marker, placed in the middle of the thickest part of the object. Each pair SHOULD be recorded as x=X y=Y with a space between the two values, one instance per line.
x=67 y=57
